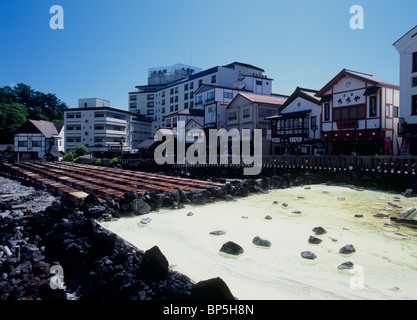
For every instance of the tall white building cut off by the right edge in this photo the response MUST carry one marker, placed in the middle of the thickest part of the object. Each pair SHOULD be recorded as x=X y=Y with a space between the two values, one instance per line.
x=407 y=48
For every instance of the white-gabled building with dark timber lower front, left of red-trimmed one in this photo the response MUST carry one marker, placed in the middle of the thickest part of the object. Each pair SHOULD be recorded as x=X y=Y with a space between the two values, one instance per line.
x=297 y=129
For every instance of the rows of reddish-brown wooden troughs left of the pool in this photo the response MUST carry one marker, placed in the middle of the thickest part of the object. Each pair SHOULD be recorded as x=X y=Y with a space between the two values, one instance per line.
x=75 y=181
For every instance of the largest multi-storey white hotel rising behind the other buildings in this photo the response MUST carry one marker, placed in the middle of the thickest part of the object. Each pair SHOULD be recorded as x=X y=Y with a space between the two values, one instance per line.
x=159 y=101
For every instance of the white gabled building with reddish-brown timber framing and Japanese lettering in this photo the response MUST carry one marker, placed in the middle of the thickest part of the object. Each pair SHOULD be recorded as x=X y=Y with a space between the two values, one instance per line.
x=360 y=115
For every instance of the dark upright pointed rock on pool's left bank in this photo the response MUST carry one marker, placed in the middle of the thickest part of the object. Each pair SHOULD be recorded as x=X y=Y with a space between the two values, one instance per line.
x=154 y=265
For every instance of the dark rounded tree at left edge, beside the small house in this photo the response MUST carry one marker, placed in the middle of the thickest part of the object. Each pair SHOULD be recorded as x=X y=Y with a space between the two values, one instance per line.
x=12 y=116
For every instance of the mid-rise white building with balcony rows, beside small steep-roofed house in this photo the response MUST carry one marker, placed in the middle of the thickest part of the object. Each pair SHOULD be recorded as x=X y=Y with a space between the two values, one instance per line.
x=102 y=128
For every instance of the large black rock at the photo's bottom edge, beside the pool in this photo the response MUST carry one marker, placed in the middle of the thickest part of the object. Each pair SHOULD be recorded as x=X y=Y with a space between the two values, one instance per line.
x=212 y=289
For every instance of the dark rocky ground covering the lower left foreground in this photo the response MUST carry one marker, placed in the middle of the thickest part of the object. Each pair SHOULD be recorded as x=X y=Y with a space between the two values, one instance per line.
x=51 y=249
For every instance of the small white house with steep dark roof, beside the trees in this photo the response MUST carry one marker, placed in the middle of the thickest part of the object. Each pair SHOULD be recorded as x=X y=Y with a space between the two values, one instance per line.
x=38 y=139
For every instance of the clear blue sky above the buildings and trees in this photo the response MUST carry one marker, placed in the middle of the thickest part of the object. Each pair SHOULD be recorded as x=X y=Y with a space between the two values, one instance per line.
x=107 y=46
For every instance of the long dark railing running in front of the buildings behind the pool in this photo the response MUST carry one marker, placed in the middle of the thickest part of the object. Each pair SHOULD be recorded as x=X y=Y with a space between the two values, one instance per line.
x=370 y=164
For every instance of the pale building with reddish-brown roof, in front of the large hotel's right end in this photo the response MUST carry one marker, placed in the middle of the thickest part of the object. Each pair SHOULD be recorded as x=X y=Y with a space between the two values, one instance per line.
x=251 y=111
